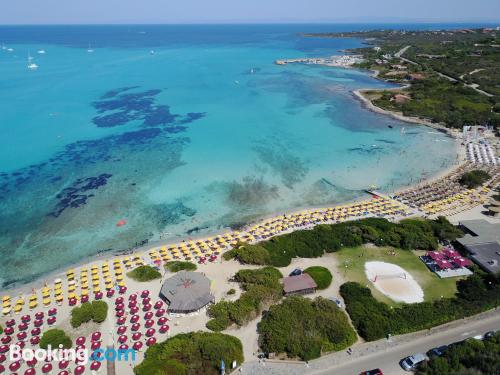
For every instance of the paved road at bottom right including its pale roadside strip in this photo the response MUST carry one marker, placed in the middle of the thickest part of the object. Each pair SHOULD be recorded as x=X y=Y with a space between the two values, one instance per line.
x=383 y=354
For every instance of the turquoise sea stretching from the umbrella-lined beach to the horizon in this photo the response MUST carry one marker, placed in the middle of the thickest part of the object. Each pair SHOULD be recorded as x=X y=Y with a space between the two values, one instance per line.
x=181 y=131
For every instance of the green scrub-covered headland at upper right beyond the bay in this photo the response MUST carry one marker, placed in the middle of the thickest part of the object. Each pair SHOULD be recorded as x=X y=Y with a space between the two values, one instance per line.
x=466 y=57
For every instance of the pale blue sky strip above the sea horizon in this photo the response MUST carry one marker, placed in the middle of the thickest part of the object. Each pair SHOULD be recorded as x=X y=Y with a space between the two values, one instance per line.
x=245 y=11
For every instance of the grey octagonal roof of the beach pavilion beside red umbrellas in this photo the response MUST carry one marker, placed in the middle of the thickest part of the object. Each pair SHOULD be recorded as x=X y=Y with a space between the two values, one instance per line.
x=186 y=292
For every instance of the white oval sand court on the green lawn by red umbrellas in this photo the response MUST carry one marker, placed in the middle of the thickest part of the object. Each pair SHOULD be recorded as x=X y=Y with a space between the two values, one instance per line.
x=394 y=282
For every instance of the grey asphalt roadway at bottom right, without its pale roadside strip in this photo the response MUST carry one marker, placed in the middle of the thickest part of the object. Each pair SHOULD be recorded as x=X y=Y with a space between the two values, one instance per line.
x=388 y=360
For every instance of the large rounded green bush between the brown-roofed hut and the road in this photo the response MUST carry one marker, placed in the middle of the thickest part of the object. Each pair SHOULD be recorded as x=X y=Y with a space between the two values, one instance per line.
x=303 y=328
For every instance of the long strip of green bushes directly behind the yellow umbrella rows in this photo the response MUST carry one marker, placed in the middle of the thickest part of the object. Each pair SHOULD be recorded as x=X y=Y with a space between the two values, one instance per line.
x=407 y=234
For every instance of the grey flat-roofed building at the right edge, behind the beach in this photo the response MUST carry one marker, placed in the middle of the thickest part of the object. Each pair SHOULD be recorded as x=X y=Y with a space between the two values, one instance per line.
x=482 y=242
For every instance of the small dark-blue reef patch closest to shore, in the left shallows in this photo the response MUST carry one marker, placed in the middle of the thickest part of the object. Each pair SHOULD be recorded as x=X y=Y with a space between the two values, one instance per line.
x=76 y=195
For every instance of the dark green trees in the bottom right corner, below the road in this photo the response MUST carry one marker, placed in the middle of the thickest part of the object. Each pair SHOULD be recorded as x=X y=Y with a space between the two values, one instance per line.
x=478 y=357
